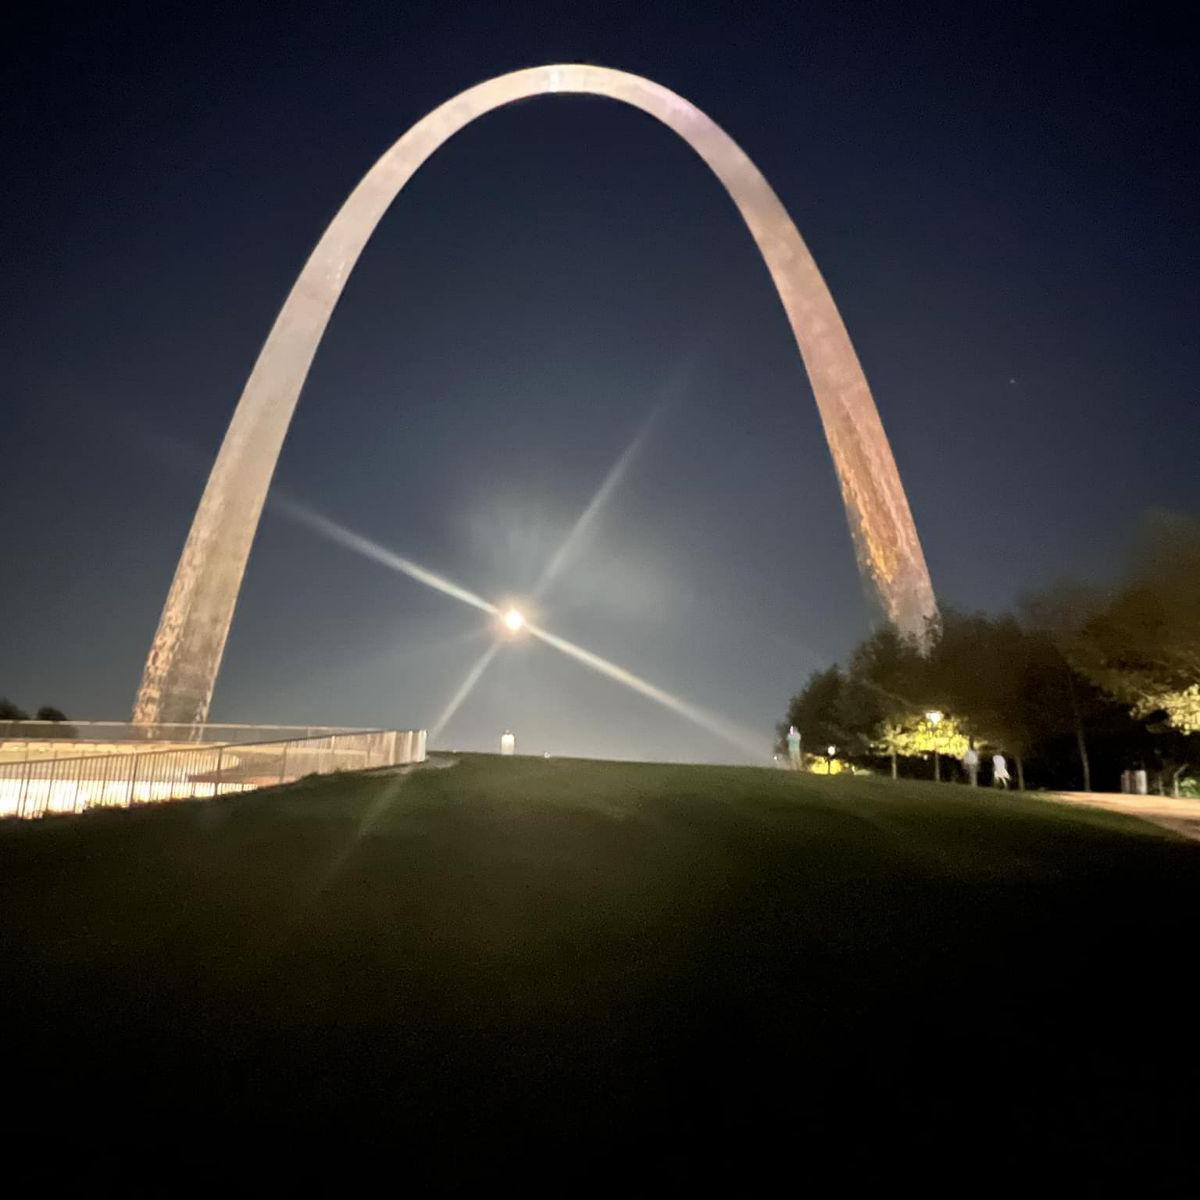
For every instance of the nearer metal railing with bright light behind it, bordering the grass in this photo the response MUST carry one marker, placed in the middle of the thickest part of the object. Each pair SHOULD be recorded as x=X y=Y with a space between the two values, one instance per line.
x=35 y=789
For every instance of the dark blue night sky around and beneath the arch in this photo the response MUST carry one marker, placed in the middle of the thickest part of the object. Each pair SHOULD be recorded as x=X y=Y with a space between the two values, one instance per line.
x=1004 y=203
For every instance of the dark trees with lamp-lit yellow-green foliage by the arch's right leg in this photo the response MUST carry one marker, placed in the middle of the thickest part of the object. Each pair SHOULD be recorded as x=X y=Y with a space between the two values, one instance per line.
x=1079 y=685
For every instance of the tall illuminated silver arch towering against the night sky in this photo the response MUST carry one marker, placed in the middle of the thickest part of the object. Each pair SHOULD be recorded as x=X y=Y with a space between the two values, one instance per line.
x=182 y=670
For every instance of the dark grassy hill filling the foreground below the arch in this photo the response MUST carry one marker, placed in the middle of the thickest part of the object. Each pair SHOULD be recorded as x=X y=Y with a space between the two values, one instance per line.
x=567 y=975
